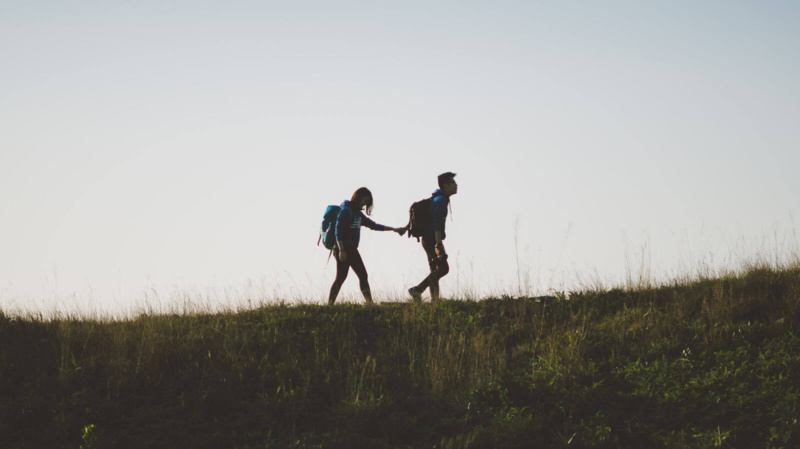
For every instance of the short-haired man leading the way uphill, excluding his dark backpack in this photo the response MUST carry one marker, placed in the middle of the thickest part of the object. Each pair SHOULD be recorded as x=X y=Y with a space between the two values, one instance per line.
x=433 y=238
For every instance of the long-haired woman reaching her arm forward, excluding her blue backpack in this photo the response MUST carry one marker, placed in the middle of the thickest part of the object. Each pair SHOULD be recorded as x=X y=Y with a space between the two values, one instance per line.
x=348 y=234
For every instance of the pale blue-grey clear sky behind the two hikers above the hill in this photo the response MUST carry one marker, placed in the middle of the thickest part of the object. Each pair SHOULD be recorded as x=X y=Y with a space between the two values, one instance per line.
x=185 y=151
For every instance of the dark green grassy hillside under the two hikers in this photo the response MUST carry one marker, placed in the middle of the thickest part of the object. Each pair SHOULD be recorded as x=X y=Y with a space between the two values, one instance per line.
x=704 y=363
